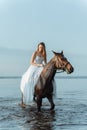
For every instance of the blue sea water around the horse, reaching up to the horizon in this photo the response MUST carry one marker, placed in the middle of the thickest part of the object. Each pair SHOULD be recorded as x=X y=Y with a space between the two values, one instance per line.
x=70 y=111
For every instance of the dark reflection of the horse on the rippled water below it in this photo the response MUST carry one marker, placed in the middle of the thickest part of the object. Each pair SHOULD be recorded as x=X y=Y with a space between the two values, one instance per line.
x=39 y=121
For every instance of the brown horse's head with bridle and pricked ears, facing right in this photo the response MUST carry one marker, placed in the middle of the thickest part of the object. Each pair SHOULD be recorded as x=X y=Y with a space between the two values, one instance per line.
x=62 y=63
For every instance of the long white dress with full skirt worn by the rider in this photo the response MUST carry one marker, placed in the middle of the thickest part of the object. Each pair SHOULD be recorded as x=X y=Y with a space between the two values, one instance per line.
x=29 y=79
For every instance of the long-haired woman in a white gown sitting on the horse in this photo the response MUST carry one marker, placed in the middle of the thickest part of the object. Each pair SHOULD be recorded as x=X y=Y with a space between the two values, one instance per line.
x=31 y=76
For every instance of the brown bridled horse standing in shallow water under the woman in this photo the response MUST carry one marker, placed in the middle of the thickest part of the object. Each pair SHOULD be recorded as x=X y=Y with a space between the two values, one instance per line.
x=44 y=86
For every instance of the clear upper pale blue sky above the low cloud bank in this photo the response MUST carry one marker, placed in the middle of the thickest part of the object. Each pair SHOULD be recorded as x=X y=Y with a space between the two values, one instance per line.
x=61 y=24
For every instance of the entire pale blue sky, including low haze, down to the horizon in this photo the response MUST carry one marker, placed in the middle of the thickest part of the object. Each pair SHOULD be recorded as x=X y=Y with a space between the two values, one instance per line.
x=61 y=24
